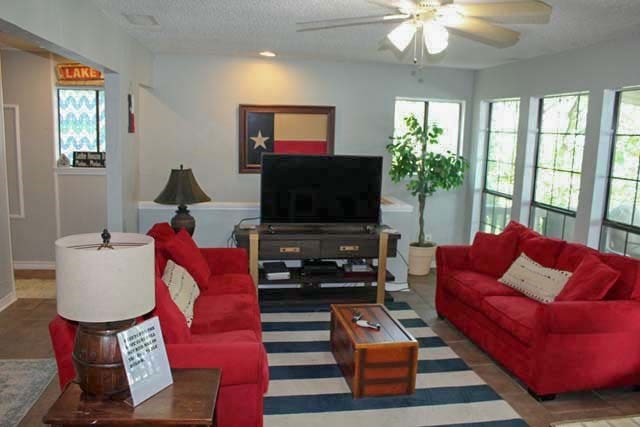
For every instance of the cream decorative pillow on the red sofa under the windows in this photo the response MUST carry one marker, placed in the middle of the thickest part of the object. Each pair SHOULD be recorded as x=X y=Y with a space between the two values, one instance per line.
x=535 y=281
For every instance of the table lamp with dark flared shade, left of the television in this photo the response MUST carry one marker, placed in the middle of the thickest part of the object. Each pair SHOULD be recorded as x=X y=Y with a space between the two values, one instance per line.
x=182 y=189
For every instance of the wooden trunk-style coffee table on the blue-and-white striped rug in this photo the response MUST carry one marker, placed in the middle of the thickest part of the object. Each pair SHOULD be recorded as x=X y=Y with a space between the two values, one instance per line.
x=374 y=363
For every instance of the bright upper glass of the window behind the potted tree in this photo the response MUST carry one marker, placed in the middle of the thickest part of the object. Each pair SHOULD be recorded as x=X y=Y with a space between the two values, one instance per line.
x=446 y=114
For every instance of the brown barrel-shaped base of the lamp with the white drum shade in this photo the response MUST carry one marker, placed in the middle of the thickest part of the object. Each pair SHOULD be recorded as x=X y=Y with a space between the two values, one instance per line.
x=98 y=362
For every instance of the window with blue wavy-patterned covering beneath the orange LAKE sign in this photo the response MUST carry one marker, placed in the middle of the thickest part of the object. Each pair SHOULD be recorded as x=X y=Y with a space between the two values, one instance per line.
x=81 y=121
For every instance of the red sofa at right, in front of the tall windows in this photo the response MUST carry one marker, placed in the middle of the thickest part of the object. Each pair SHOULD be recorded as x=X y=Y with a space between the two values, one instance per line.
x=556 y=347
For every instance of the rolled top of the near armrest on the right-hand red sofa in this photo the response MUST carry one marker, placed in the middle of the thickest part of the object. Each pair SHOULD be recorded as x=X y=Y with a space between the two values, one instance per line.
x=591 y=317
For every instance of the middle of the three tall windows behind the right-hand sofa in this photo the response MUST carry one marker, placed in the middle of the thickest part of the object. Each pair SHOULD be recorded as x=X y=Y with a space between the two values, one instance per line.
x=561 y=133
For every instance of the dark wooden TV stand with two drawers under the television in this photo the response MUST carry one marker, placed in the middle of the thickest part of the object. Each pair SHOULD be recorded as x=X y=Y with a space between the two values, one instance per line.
x=300 y=242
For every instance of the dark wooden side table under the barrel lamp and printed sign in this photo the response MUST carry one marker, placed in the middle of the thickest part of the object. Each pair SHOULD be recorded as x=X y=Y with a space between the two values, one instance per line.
x=189 y=401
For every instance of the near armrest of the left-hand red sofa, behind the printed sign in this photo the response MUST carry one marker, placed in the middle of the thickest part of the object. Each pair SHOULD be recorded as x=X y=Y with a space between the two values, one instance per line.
x=240 y=362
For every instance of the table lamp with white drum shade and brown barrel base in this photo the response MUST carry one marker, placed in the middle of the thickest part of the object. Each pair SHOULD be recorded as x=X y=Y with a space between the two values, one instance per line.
x=104 y=282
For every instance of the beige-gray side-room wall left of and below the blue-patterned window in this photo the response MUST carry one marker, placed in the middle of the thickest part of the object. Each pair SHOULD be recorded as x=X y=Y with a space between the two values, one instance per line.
x=55 y=205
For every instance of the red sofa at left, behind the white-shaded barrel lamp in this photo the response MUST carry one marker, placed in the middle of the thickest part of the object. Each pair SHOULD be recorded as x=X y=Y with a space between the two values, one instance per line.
x=225 y=332
